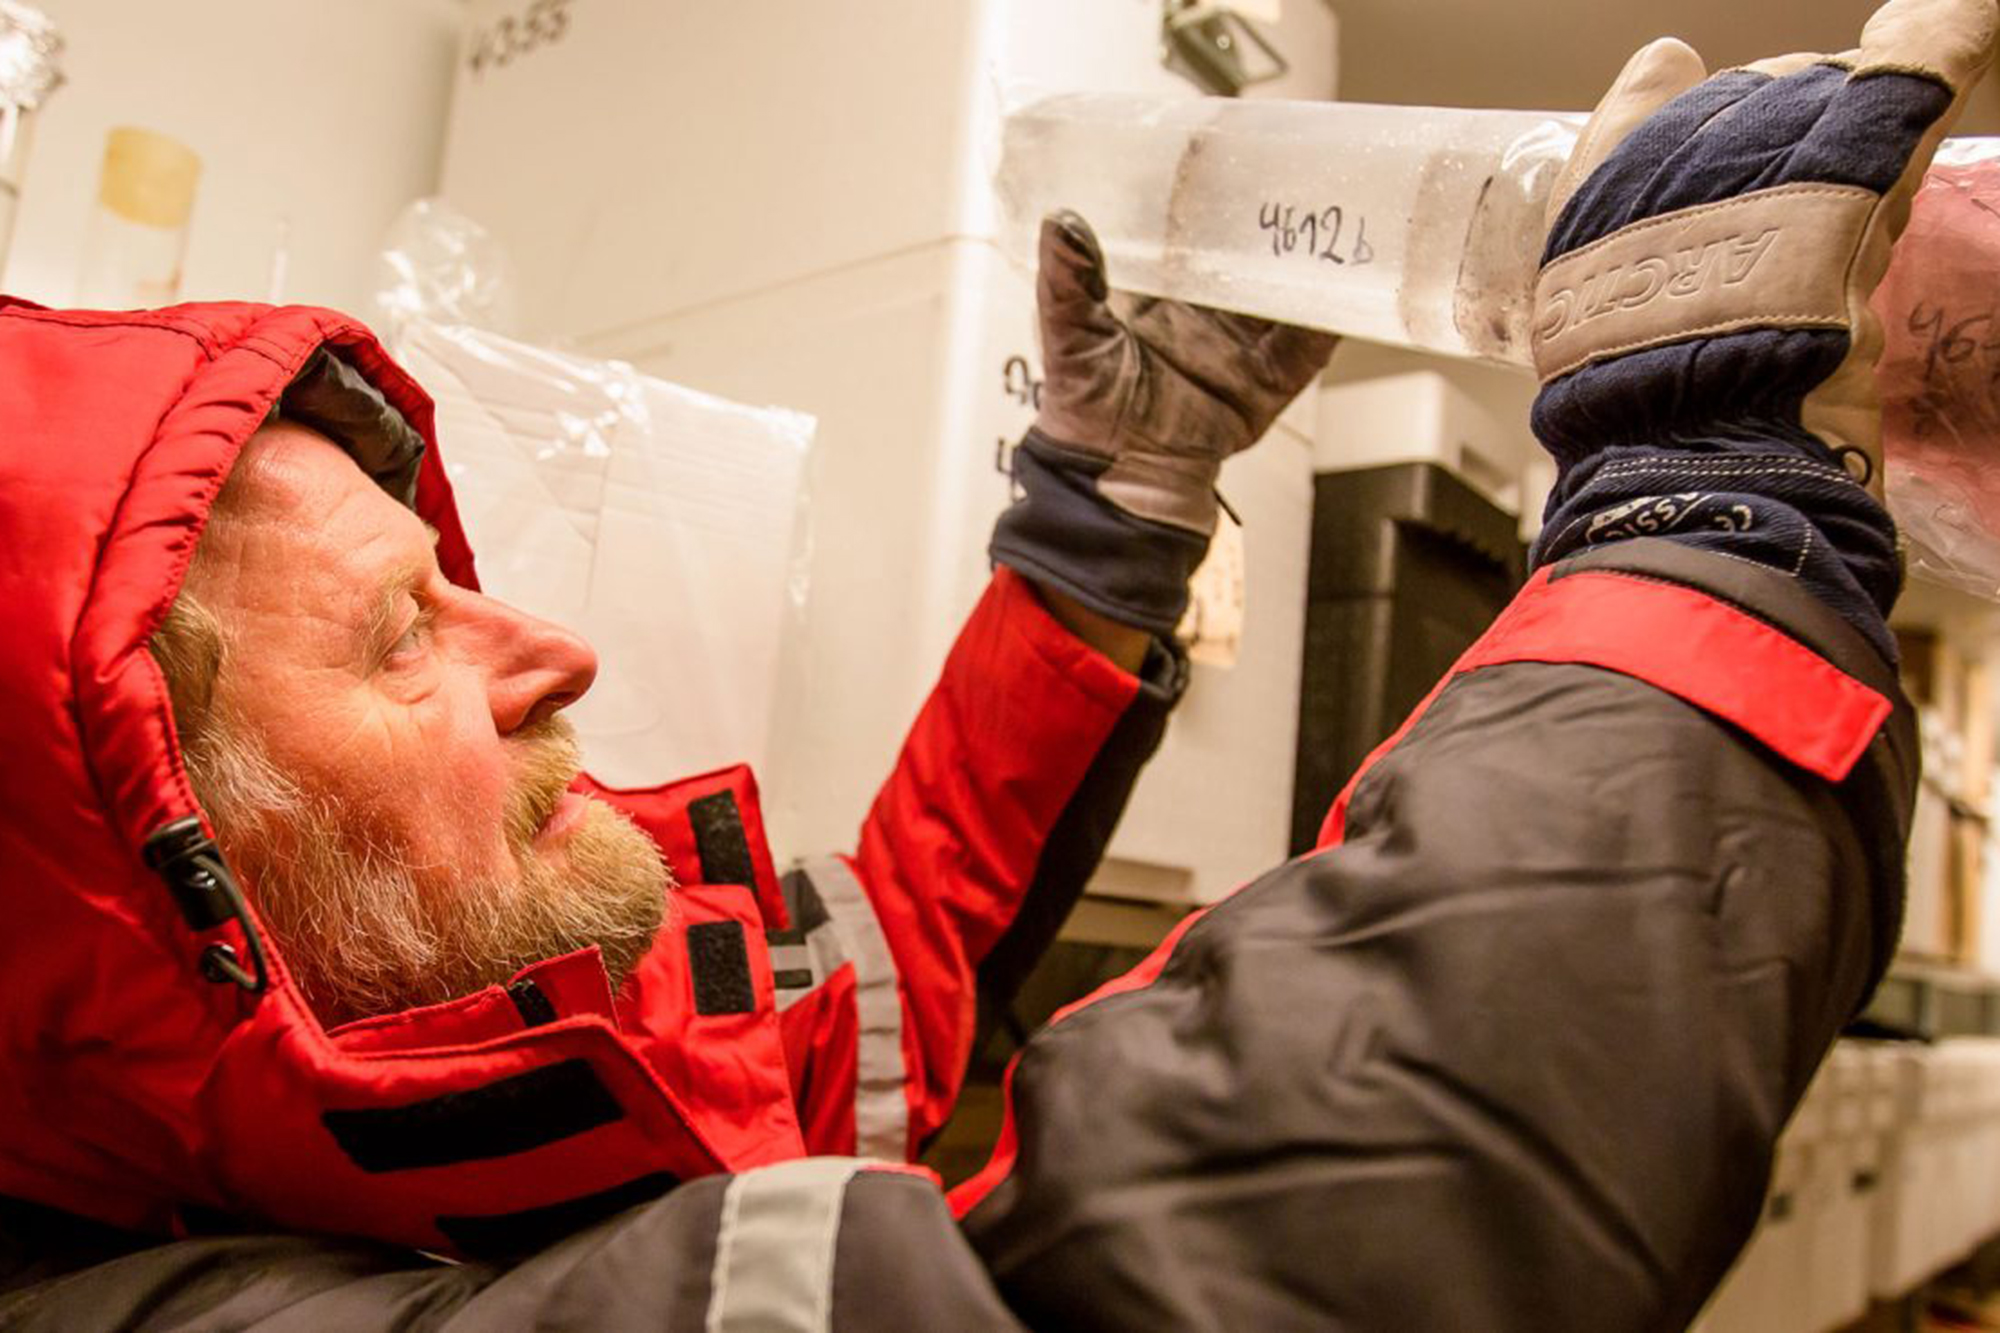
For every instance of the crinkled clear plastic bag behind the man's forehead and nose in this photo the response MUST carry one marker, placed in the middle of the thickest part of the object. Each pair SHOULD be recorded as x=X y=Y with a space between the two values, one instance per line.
x=665 y=525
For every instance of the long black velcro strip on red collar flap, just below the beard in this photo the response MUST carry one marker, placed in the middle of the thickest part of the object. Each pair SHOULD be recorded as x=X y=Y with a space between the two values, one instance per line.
x=509 y=1116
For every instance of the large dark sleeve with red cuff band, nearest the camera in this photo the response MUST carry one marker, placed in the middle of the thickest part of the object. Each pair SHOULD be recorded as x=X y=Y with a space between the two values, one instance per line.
x=1513 y=1050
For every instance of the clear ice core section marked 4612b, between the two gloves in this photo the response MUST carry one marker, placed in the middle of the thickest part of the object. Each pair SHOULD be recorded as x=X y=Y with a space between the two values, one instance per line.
x=1407 y=225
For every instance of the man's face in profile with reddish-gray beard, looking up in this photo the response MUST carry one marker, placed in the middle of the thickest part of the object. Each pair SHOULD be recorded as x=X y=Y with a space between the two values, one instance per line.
x=385 y=762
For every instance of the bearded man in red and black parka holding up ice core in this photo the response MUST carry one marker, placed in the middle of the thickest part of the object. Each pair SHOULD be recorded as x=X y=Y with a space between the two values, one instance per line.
x=1509 y=1052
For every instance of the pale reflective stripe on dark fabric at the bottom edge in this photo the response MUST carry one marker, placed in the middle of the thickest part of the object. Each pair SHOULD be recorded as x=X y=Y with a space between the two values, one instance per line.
x=775 y=1248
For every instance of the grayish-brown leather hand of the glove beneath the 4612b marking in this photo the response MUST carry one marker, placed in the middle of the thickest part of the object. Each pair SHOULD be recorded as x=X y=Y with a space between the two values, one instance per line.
x=1157 y=393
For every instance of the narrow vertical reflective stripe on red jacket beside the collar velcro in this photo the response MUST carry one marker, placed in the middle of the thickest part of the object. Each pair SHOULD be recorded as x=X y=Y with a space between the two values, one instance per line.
x=881 y=1104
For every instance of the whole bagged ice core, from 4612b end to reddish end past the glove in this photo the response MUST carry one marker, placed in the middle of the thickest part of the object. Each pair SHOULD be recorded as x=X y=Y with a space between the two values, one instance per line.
x=1425 y=227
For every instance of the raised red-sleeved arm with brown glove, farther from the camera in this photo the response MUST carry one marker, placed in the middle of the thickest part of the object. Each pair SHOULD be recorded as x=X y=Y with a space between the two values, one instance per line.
x=1053 y=700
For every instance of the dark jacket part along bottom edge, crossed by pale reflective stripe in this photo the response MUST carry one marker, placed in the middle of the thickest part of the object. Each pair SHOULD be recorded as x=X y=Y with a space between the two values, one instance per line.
x=855 y=1246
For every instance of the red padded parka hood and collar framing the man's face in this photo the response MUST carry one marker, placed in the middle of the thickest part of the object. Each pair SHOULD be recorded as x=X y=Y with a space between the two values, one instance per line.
x=139 y=1084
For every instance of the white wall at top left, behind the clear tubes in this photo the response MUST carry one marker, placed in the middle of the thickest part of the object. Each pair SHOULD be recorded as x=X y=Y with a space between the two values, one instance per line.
x=315 y=123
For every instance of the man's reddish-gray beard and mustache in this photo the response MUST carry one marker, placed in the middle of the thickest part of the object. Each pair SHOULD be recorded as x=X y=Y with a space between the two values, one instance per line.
x=367 y=932
